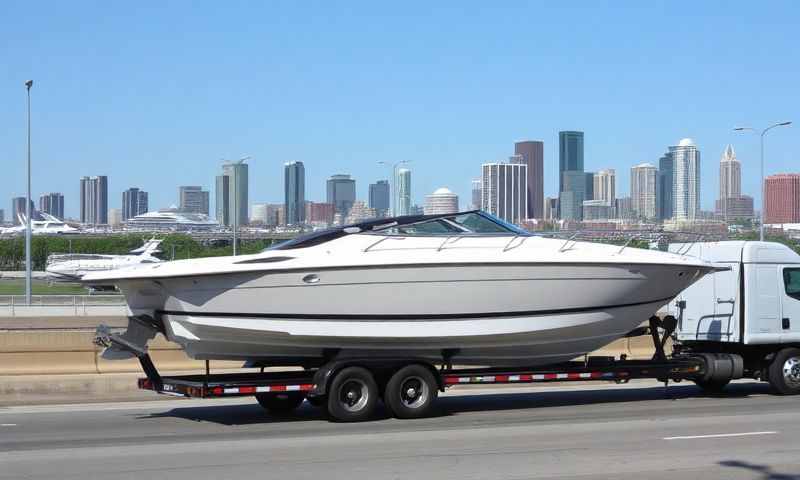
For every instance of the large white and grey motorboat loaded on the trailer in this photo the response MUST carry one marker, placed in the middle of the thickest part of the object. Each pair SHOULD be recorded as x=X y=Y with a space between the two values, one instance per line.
x=464 y=288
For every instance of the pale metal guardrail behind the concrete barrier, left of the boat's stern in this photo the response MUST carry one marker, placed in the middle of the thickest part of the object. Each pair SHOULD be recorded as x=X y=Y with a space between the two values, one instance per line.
x=62 y=305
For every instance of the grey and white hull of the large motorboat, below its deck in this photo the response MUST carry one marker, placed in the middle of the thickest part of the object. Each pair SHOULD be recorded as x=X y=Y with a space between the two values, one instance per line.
x=478 y=314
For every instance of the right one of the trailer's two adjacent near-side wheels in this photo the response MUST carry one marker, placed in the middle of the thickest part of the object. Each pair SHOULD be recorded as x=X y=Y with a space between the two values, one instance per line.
x=411 y=392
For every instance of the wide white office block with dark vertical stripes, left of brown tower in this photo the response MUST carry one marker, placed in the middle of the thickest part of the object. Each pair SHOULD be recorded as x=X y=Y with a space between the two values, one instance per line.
x=505 y=190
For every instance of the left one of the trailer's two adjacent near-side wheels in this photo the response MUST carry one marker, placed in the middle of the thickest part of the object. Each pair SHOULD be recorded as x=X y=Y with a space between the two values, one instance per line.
x=352 y=395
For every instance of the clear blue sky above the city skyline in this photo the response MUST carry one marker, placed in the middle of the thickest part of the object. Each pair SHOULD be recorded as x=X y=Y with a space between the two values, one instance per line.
x=154 y=94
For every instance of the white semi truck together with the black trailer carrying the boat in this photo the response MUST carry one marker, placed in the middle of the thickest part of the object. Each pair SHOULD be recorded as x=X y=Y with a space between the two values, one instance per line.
x=741 y=321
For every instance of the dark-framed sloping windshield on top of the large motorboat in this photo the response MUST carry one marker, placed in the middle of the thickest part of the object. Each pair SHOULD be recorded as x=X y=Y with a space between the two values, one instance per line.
x=466 y=223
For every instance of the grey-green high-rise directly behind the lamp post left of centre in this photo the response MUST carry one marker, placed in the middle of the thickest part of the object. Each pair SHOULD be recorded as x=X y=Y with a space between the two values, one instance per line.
x=232 y=193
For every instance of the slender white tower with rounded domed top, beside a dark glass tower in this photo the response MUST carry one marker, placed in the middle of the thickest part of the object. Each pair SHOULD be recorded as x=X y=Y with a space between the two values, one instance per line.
x=686 y=175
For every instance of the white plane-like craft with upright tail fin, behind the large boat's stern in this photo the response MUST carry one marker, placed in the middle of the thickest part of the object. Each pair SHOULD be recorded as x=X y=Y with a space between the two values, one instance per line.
x=71 y=267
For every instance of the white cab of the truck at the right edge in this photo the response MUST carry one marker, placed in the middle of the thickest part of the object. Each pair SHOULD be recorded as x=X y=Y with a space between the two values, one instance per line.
x=751 y=308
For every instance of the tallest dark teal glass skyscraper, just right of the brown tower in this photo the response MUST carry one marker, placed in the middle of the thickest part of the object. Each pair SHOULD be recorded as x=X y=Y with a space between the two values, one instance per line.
x=571 y=178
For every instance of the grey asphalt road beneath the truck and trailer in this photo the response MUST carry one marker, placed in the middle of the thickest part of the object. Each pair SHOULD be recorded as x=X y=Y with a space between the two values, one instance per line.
x=632 y=431
